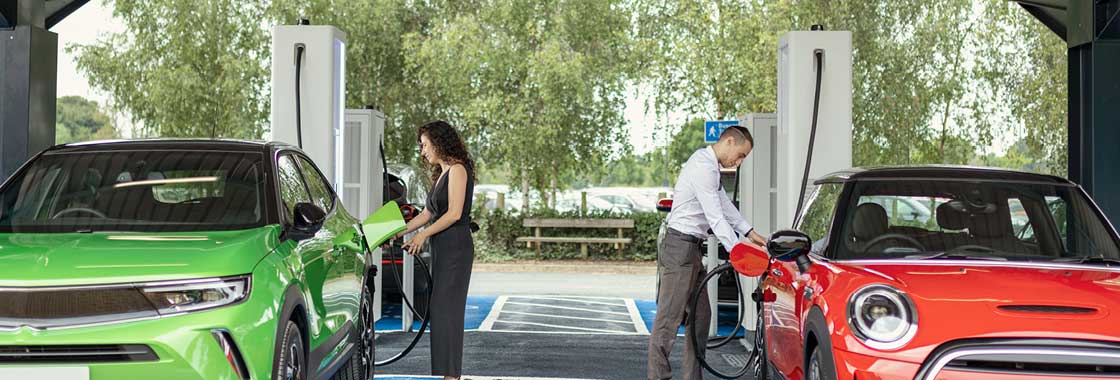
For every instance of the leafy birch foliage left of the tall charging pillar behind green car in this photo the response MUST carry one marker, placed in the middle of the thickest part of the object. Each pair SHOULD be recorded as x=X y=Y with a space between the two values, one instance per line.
x=185 y=68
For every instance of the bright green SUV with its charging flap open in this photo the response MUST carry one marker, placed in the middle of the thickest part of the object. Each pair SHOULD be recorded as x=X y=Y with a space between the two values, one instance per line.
x=183 y=259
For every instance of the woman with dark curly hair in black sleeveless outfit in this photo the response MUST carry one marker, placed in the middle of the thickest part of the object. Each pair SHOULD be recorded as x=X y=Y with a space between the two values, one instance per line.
x=453 y=251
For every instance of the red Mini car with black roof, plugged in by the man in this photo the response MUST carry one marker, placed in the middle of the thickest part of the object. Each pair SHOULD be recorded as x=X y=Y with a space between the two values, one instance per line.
x=1015 y=276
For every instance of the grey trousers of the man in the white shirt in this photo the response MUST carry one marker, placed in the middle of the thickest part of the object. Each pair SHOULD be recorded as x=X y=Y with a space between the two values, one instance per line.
x=682 y=273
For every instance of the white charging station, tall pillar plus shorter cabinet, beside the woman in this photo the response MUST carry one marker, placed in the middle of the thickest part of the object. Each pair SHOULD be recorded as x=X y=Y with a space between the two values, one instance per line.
x=309 y=112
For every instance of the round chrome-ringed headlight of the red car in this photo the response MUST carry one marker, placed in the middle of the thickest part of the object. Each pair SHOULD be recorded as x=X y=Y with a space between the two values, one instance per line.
x=882 y=317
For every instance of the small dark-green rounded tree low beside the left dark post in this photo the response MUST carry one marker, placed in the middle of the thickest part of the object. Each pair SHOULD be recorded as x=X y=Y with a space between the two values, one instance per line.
x=78 y=119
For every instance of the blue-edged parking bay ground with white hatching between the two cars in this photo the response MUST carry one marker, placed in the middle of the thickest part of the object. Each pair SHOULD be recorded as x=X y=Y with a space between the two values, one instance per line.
x=549 y=337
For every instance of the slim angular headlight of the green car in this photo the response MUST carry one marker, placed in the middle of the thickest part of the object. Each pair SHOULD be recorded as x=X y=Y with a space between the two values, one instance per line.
x=197 y=295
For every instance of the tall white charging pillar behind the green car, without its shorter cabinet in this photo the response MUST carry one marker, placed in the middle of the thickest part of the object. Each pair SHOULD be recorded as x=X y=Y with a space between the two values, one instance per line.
x=322 y=87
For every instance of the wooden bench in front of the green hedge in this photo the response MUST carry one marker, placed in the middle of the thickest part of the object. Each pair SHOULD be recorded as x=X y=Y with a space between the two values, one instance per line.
x=537 y=225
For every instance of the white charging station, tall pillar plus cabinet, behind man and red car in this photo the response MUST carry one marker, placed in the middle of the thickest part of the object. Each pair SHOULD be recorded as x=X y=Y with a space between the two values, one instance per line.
x=770 y=178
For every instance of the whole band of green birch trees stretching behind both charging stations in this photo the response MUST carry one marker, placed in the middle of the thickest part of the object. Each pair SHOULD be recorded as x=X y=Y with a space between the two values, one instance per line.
x=538 y=87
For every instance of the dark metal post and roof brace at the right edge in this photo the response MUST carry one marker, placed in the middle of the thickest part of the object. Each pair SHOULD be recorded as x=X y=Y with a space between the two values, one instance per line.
x=1091 y=30
